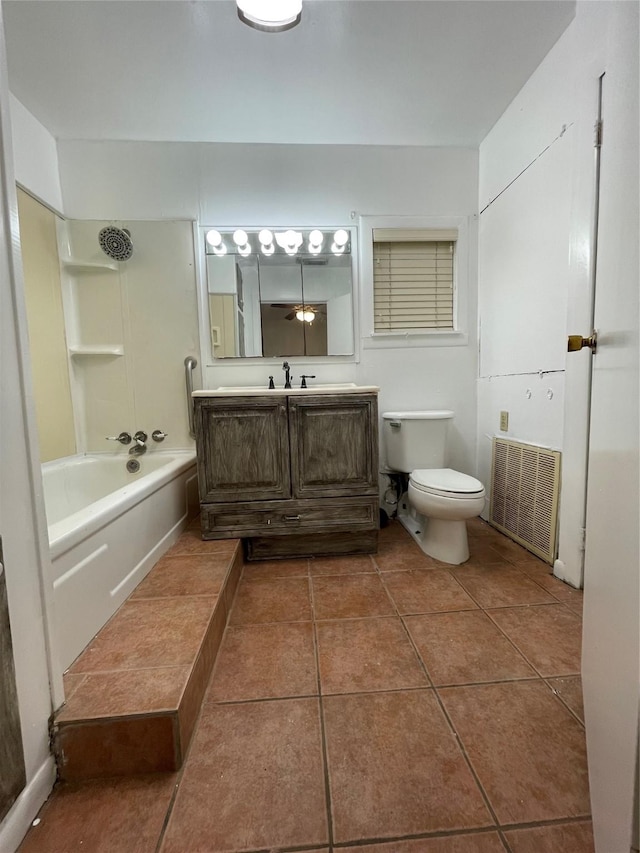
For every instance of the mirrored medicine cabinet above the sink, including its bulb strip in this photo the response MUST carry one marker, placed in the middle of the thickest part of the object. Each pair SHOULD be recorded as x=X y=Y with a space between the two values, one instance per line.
x=277 y=294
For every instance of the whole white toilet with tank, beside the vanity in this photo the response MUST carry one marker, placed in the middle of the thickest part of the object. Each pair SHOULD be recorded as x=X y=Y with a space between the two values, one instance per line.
x=439 y=500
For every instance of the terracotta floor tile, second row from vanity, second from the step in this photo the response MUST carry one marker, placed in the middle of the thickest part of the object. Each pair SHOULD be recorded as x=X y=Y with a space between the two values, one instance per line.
x=350 y=596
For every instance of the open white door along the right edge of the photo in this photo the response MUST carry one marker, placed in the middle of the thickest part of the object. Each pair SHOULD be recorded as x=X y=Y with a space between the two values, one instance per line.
x=610 y=634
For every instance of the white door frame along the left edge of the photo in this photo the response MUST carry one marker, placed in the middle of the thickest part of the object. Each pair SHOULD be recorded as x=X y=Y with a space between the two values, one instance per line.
x=31 y=766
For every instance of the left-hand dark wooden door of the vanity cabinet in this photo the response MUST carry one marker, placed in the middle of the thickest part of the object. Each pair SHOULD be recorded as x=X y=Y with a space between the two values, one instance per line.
x=243 y=448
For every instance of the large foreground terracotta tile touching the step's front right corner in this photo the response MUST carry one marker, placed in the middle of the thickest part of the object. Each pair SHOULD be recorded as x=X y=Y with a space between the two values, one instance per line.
x=253 y=780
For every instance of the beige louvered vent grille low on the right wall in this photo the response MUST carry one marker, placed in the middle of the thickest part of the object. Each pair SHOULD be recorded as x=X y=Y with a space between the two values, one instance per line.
x=525 y=485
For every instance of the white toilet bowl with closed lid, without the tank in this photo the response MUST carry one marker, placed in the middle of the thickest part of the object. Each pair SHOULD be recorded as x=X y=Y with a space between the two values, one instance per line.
x=440 y=501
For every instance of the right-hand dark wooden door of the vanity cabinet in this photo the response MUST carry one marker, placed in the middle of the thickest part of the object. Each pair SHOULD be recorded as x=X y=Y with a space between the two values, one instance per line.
x=334 y=445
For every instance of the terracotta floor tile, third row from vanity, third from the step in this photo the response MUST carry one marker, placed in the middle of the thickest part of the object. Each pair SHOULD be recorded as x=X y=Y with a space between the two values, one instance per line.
x=465 y=647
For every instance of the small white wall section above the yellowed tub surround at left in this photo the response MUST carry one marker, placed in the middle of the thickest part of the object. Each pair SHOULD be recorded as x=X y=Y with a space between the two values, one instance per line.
x=35 y=156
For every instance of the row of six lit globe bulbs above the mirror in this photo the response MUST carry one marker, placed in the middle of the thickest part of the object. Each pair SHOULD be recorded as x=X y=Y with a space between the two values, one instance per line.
x=290 y=242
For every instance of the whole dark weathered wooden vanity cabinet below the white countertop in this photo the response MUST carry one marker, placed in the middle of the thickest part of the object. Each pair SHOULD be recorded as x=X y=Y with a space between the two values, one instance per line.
x=292 y=475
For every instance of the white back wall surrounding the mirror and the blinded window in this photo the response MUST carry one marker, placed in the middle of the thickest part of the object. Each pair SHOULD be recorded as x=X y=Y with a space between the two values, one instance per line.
x=278 y=185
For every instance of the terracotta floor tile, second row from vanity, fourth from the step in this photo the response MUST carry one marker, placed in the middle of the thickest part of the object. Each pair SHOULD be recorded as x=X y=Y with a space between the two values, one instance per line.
x=500 y=586
